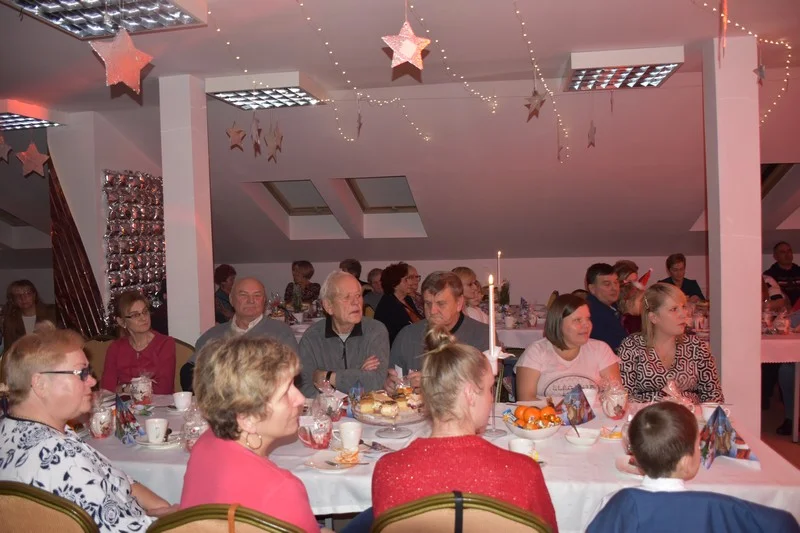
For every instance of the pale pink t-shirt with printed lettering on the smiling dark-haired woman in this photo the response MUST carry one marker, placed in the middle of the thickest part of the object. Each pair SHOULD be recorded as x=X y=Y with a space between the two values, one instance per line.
x=559 y=376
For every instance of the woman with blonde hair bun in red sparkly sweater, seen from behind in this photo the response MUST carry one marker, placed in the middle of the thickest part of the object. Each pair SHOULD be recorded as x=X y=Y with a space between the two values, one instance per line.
x=457 y=386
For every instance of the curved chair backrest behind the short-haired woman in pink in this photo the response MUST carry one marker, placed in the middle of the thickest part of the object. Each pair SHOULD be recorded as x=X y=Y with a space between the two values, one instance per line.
x=218 y=518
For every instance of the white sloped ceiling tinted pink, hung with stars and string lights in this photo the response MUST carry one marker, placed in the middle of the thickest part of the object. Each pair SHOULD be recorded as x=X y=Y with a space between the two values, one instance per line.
x=485 y=181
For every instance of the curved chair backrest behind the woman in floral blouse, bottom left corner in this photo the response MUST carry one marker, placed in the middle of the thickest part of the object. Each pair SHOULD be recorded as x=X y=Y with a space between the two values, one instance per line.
x=26 y=508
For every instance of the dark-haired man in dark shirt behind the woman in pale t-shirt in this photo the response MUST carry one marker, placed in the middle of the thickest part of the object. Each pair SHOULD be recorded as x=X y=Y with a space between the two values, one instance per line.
x=603 y=285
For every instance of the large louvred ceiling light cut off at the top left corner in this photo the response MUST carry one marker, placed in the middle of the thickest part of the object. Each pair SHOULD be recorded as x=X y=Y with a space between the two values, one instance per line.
x=95 y=19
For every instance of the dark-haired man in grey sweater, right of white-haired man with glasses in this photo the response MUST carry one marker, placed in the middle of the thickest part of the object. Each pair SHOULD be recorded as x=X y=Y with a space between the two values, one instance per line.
x=443 y=295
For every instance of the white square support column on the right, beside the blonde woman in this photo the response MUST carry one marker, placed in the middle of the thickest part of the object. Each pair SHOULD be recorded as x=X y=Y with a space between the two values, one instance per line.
x=733 y=182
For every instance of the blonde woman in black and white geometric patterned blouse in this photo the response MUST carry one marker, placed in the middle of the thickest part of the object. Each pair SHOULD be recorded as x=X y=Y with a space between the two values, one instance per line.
x=662 y=352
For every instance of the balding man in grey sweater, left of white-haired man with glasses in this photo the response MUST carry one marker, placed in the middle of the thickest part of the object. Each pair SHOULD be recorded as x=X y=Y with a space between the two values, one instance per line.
x=248 y=299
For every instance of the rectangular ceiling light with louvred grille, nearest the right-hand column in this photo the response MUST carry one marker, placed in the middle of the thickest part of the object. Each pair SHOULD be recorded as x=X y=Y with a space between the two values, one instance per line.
x=623 y=69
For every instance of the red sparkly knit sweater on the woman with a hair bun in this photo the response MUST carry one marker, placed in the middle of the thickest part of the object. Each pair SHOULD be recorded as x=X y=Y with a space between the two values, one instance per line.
x=468 y=464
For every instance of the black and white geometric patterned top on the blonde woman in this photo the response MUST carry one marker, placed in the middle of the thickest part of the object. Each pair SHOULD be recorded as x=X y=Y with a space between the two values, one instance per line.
x=694 y=370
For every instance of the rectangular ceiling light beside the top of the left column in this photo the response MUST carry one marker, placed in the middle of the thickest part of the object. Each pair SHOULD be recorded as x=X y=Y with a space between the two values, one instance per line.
x=266 y=91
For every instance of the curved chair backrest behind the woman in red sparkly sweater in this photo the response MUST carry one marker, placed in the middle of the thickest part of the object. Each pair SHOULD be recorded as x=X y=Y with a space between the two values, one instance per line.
x=462 y=513
